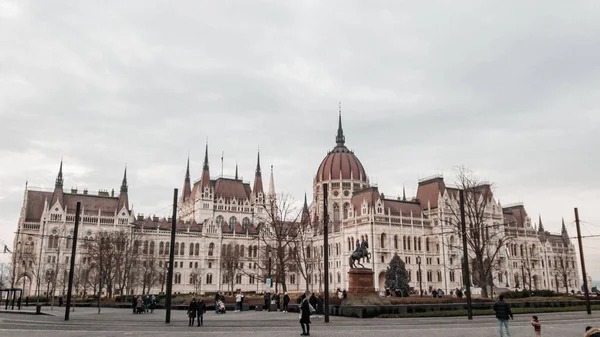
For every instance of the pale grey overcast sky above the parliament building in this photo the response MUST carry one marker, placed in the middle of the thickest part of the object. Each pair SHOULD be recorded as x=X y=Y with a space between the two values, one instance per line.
x=509 y=89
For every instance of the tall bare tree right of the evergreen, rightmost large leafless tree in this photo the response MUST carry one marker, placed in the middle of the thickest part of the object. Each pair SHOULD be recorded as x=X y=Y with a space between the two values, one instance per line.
x=485 y=240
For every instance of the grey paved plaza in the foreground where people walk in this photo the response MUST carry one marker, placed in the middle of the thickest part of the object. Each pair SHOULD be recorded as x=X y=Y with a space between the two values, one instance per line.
x=121 y=322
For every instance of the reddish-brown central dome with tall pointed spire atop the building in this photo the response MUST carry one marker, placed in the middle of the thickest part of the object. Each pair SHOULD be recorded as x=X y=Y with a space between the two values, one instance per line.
x=341 y=163
